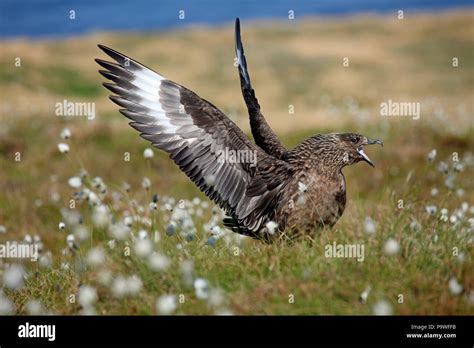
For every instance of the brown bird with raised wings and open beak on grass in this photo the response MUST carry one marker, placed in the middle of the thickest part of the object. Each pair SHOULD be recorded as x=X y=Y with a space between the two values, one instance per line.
x=267 y=191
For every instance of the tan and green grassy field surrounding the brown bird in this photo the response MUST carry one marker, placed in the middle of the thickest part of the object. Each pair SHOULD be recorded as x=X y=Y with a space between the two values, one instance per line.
x=246 y=276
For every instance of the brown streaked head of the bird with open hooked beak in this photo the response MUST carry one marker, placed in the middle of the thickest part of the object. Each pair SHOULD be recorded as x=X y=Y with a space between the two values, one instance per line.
x=337 y=150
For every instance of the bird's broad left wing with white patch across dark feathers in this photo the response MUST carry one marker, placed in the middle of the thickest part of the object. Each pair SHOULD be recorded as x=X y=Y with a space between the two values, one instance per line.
x=200 y=140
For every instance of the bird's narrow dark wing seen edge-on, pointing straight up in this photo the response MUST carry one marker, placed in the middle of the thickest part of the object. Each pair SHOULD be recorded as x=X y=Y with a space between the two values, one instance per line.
x=261 y=131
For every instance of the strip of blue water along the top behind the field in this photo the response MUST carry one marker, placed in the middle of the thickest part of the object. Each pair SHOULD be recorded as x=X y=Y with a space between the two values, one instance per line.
x=50 y=18
